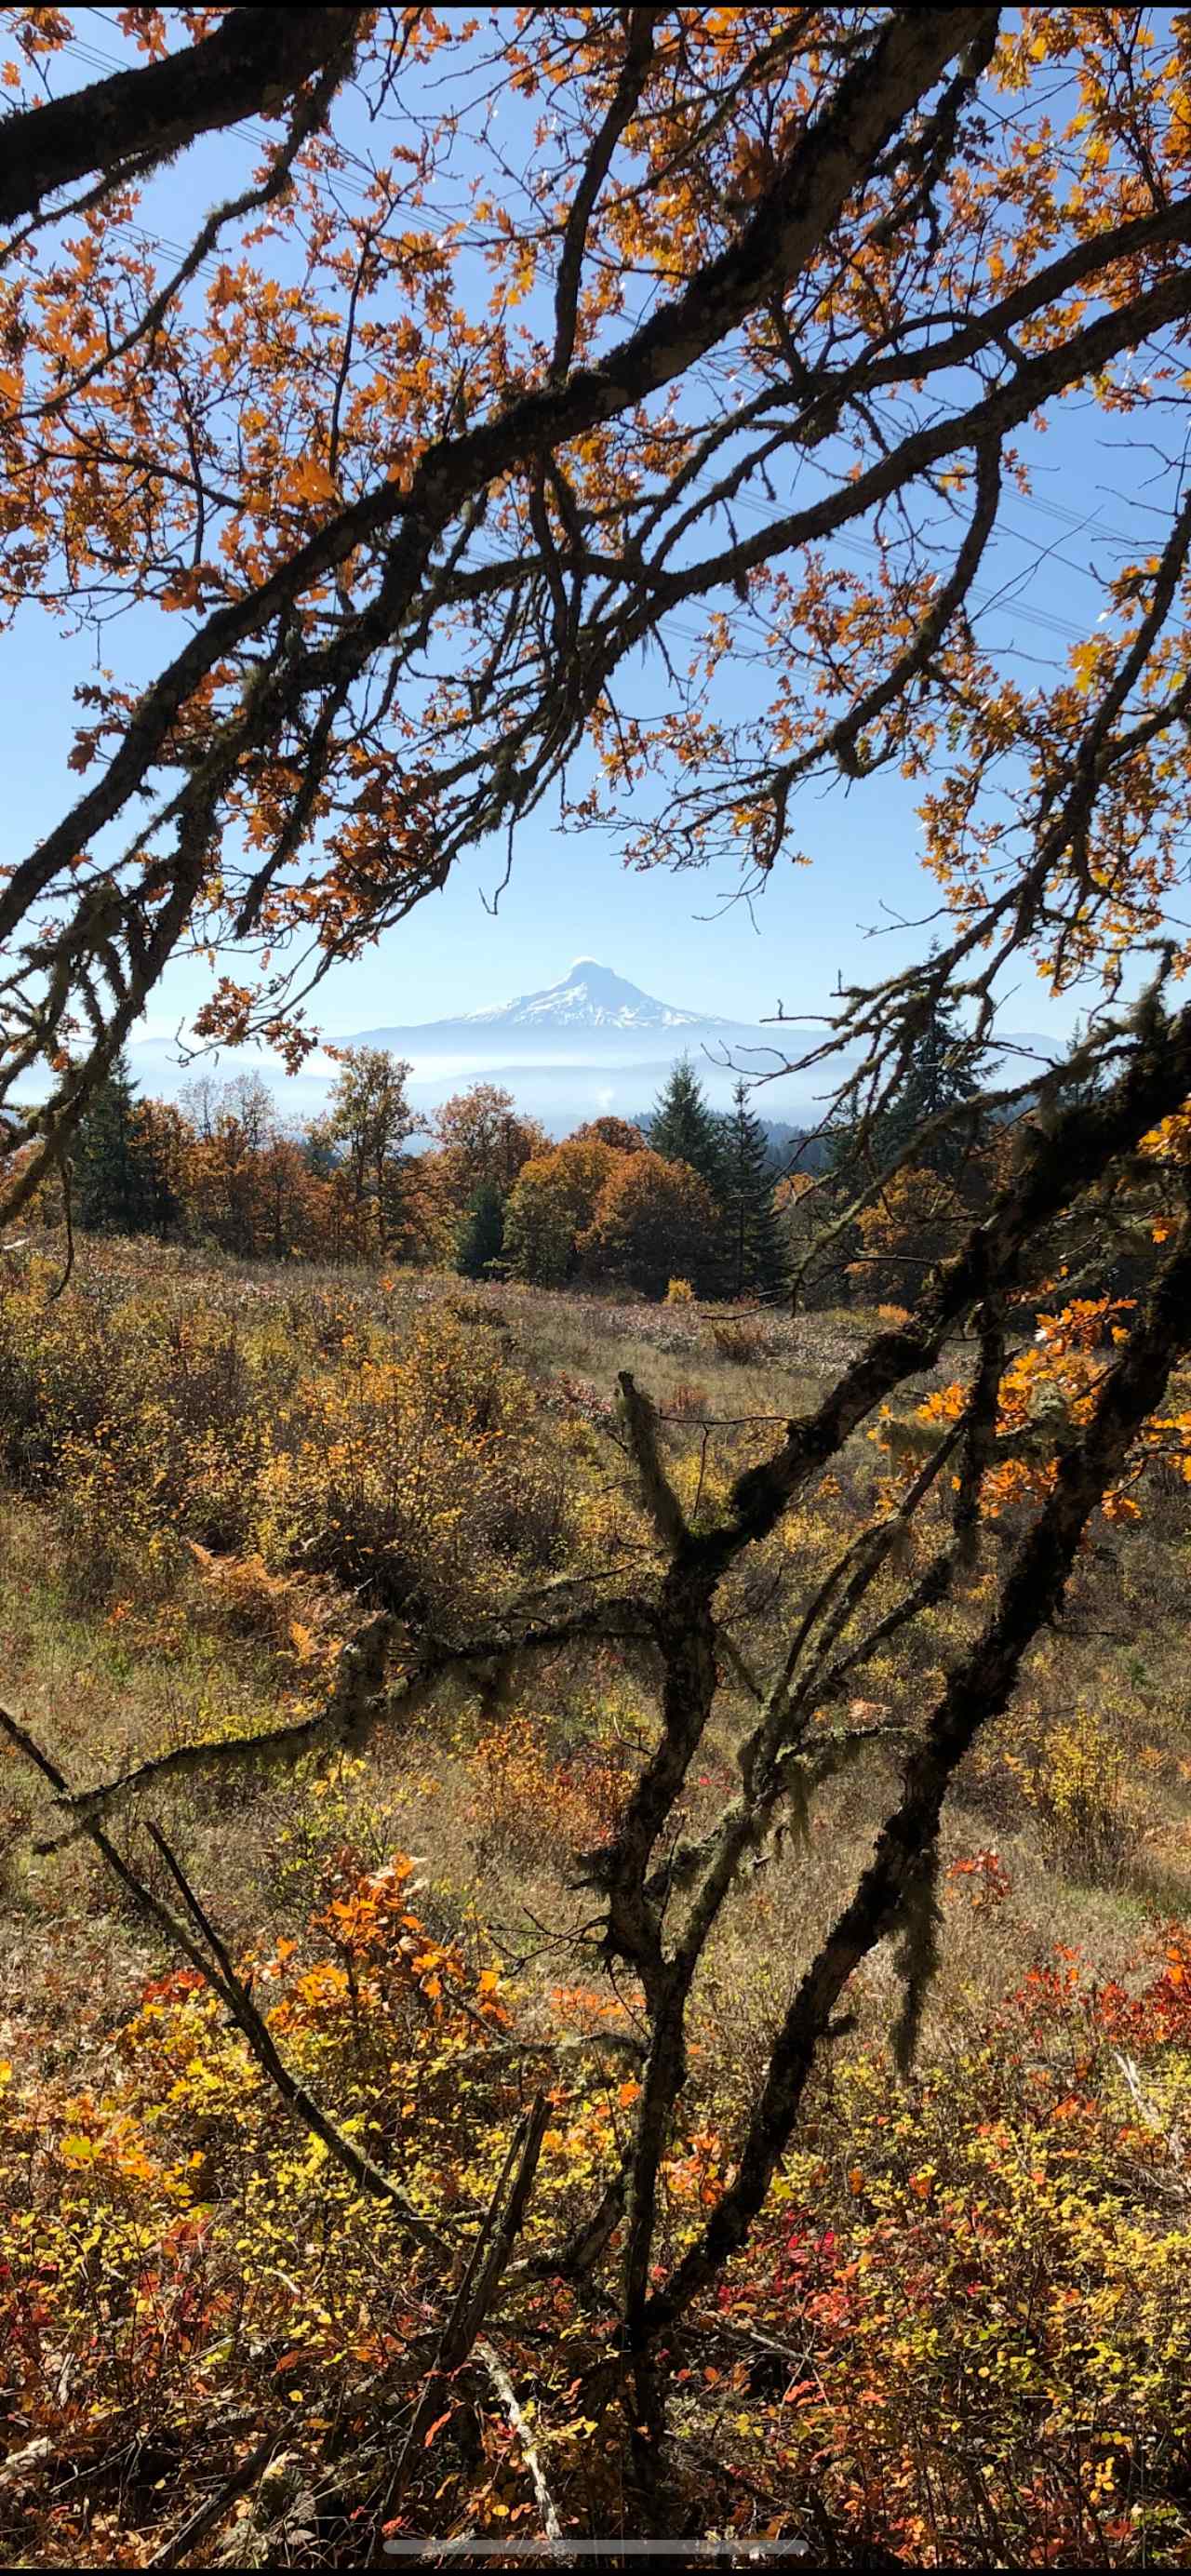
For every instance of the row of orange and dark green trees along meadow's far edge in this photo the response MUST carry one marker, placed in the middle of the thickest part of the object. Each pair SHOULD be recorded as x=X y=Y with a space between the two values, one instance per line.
x=684 y=1194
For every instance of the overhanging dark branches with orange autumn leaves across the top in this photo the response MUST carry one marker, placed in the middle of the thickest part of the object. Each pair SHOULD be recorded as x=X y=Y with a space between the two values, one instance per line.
x=424 y=439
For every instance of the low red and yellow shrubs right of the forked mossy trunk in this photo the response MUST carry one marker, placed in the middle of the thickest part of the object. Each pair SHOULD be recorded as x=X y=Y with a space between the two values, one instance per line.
x=981 y=2320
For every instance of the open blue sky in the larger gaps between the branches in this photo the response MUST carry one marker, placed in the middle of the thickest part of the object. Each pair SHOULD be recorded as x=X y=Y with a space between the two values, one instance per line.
x=687 y=936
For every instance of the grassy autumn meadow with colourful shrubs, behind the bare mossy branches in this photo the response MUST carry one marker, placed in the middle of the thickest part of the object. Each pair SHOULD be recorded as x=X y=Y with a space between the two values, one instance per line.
x=960 y=2327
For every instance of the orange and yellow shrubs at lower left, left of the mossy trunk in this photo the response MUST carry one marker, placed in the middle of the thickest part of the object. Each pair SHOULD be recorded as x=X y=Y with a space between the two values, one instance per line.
x=238 y=2266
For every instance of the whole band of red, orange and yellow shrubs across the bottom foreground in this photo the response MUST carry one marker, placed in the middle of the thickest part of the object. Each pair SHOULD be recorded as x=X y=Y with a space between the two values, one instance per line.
x=953 y=2340
